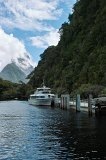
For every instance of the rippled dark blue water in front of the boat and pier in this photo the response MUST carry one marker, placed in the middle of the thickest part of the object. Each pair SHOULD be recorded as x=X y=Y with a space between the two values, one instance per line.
x=37 y=133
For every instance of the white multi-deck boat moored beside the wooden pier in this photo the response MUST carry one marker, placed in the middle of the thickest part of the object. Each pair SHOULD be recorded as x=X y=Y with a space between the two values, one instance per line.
x=42 y=97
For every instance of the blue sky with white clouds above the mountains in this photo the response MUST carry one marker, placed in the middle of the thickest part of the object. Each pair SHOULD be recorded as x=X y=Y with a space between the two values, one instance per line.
x=30 y=26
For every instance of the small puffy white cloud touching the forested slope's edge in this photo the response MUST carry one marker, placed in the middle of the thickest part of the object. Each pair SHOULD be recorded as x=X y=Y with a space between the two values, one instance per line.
x=51 y=38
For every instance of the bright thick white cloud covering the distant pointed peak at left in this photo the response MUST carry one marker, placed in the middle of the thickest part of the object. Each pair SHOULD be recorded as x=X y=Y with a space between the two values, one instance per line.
x=12 y=48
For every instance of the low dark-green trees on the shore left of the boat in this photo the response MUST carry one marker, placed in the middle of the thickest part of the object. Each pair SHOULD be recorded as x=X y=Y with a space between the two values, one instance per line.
x=9 y=90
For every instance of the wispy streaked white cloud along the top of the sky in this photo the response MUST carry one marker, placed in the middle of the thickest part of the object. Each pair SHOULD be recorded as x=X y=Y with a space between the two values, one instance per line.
x=29 y=14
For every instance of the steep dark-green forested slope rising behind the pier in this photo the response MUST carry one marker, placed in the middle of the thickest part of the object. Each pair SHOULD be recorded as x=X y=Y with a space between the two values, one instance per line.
x=79 y=59
